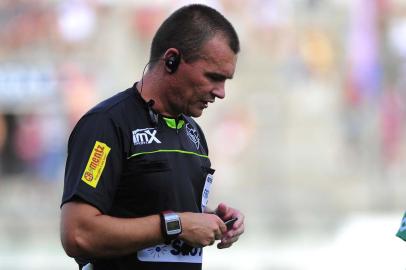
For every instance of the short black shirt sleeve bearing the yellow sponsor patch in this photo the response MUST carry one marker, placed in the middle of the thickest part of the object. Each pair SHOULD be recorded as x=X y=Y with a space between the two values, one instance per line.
x=94 y=162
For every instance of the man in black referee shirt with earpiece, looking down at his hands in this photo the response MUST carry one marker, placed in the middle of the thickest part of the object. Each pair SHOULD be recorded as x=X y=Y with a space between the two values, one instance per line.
x=138 y=174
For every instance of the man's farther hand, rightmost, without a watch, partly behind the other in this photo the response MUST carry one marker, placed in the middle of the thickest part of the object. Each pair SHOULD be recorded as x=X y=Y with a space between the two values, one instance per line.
x=232 y=235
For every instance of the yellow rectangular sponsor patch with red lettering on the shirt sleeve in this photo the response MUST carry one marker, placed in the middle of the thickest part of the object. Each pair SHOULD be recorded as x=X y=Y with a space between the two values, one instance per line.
x=95 y=164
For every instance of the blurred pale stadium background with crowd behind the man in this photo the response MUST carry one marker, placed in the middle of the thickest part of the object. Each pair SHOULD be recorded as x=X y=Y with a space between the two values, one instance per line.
x=310 y=142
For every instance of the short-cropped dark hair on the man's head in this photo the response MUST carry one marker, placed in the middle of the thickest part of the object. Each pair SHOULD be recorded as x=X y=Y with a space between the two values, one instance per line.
x=188 y=29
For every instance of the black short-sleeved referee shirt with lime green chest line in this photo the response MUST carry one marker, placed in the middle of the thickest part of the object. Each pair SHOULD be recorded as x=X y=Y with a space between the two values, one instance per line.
x=127 y=165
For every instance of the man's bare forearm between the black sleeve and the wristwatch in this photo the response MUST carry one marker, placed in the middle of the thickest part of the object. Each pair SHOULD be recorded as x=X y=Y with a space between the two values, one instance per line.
x=106 y=236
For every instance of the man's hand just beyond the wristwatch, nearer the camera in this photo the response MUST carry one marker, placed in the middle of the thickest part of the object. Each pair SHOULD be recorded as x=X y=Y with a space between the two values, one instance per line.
x=200 y=230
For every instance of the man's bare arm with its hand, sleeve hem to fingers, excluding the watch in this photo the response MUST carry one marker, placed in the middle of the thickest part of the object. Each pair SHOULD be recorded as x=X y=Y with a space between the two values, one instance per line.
x=87 y=233
